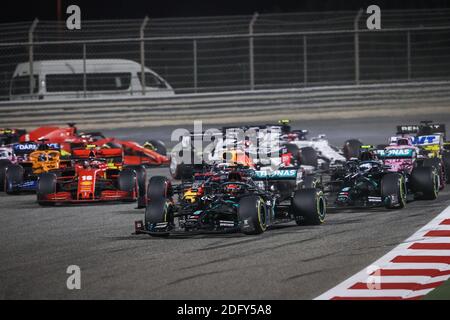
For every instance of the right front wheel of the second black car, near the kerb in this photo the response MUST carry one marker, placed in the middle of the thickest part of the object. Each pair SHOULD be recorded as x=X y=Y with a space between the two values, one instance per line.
x=393 y=186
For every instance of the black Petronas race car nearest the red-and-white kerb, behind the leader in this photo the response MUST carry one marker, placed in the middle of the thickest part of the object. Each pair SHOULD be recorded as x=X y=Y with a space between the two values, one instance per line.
x=368 y=182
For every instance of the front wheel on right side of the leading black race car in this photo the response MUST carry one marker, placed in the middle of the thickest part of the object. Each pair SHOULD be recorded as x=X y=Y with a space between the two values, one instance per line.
x=252 y=214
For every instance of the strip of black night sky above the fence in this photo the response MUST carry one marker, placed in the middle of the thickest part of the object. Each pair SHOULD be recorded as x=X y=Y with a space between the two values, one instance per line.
x=122 y=9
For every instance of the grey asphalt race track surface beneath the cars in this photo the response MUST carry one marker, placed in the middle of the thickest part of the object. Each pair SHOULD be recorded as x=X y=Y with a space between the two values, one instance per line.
x=289 y=262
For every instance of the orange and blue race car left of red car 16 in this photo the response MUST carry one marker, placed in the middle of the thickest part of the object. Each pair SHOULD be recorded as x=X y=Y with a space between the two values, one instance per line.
x=30 y=160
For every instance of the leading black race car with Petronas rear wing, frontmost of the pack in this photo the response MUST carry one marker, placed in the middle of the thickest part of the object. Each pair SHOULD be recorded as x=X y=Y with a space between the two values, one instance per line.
x=230 y=199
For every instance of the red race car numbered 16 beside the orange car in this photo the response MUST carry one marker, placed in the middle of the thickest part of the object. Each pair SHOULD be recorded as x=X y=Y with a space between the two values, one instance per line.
x=95 y=176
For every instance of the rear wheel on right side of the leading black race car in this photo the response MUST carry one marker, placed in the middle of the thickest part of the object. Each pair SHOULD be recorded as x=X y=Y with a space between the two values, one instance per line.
x=308 y=206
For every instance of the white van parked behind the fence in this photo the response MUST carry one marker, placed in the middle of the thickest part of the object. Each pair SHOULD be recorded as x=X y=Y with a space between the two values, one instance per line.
x=65 y=79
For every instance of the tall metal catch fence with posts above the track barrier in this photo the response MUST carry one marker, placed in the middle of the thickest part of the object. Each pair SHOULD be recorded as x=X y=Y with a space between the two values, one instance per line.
x=241 y=52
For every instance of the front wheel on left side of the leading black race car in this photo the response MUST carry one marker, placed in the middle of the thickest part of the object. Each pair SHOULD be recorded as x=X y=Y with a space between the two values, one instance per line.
x=159 y=217
